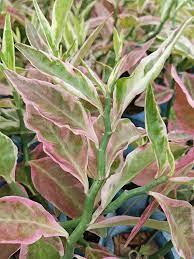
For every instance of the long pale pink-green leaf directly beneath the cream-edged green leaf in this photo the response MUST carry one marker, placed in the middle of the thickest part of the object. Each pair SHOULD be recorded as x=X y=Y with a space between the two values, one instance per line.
x=54 y=103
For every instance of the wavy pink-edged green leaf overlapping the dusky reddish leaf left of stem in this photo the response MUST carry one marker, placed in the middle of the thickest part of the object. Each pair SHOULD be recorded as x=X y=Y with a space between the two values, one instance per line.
x=65 y=148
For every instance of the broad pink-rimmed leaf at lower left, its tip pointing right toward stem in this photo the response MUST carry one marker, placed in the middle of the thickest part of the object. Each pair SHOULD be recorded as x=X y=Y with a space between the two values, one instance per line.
x=24 y=221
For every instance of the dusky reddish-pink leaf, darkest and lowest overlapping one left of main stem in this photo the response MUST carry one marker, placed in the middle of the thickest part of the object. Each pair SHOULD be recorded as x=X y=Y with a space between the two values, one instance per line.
x=59 y=187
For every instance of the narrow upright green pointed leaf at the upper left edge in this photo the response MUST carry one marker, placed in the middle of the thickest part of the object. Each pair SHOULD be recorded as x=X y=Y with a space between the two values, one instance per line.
x=8 y=50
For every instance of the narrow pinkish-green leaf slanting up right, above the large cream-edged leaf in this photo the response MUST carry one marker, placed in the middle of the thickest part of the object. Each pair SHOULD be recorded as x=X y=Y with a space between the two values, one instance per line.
x=87 y=45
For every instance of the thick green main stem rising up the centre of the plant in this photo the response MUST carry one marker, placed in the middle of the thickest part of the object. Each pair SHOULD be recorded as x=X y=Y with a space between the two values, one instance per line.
x=90 y=199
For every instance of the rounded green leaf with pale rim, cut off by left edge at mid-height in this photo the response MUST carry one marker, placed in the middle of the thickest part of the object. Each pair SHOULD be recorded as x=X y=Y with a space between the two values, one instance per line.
x=8 y=158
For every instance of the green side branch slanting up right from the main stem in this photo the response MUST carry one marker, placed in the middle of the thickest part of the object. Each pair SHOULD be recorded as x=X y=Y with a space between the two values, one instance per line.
x=134 y=192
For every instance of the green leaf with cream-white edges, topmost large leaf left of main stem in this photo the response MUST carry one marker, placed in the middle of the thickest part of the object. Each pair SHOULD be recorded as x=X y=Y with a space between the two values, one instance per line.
x=72 y=79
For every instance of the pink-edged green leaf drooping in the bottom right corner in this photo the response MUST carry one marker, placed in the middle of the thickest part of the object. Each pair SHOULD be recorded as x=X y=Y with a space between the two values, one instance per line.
x=180 y=216
